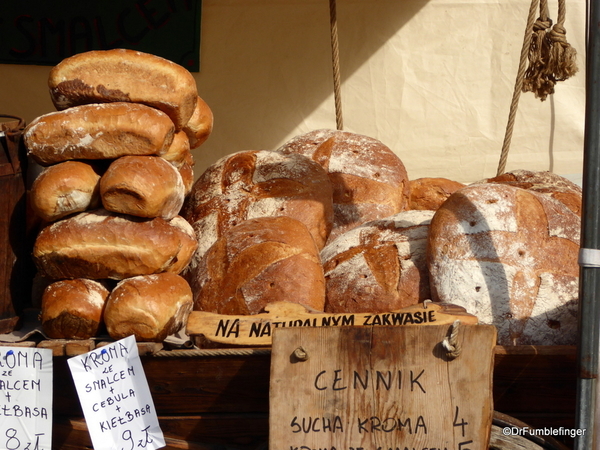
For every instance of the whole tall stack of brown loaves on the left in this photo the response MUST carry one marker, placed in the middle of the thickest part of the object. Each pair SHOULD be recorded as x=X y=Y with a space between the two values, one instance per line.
x=117 y=167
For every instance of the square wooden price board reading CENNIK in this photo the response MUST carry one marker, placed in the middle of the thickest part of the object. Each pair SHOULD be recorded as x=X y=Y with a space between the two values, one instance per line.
x=381 y=388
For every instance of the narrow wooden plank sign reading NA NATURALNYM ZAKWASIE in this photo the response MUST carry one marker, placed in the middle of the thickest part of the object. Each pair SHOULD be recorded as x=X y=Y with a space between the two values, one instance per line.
x=256 y=330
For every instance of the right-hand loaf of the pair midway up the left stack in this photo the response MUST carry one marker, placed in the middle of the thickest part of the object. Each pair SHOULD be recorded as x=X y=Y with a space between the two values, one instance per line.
x=144 y=186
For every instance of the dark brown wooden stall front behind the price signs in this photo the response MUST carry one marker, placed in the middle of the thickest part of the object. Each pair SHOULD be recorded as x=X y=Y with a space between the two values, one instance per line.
x=220 y=399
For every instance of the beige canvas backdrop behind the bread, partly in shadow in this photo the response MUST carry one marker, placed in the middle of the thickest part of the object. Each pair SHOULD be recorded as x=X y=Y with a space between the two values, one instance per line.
x=431 y=79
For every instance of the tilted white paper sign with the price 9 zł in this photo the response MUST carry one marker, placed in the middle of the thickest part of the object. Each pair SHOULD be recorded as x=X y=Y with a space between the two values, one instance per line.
x=115 y=398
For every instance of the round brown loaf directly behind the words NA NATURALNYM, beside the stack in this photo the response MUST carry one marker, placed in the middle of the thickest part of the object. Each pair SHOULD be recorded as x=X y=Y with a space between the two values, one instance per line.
x=257 y=262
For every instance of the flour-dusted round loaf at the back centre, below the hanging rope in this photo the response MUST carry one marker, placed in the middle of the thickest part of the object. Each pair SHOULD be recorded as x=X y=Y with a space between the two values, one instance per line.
x=369 y=181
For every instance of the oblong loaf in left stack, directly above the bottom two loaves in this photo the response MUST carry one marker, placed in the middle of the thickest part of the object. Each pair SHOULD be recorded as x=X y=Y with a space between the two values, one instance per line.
x=99 y=244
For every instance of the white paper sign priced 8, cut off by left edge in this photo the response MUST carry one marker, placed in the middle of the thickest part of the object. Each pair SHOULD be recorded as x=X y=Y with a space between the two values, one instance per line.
x=25 y=398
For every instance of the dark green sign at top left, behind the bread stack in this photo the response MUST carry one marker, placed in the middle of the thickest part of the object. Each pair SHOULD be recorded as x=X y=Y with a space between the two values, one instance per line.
x=44 y=32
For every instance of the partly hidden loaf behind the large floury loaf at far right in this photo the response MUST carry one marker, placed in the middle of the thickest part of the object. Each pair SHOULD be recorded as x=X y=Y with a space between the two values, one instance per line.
x=544 y=182
